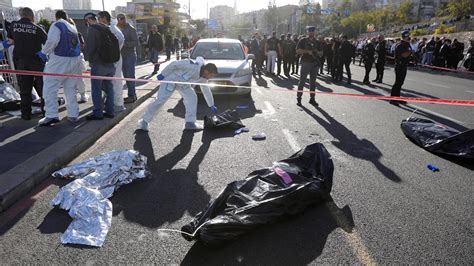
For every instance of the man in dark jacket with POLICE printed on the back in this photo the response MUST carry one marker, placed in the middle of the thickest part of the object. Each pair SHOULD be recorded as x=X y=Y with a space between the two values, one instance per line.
x=28 y=38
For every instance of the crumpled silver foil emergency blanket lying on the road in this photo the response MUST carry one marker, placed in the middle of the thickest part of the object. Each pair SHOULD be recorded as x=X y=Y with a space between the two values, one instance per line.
x=86 y=198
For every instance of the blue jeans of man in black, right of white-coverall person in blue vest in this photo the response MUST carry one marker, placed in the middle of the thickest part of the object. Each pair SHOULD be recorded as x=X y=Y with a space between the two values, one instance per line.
x=105 y=70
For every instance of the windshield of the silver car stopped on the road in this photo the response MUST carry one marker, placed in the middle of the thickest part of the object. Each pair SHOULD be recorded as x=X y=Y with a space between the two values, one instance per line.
x=218 y=50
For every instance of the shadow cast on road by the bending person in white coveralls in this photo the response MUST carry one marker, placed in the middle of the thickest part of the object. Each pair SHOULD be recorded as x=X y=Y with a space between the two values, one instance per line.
x=171 y=192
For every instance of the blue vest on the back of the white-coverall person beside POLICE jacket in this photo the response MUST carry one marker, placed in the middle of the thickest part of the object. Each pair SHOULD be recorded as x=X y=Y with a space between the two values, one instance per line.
x=68 y=45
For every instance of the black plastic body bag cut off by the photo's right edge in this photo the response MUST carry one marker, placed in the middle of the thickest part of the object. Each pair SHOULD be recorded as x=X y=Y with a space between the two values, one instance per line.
x=438 y=138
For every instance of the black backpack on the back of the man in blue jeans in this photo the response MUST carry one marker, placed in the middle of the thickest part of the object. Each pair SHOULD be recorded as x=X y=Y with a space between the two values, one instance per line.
x=109 y=51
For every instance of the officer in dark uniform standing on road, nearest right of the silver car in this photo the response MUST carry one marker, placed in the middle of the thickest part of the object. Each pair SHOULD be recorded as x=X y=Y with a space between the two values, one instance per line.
x=311 y=51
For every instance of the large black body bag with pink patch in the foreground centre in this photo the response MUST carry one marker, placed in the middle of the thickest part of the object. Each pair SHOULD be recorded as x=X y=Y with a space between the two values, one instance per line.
x=286 y=188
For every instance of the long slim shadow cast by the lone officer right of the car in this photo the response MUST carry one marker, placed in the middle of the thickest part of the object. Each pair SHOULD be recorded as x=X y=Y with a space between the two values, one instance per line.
x=349 y=143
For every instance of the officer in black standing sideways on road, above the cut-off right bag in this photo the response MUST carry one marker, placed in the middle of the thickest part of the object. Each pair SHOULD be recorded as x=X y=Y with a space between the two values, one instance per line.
x=402 y=57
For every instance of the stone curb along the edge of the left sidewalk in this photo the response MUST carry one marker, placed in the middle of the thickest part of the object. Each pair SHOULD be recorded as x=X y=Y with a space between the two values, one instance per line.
x=20 y=180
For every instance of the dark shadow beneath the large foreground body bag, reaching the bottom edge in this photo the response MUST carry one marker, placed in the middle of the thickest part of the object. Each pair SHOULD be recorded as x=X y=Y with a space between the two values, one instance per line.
x=296 y=240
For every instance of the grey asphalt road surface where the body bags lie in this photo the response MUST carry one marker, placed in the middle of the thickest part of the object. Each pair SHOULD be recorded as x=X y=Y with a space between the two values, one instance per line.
x=387 y=206
